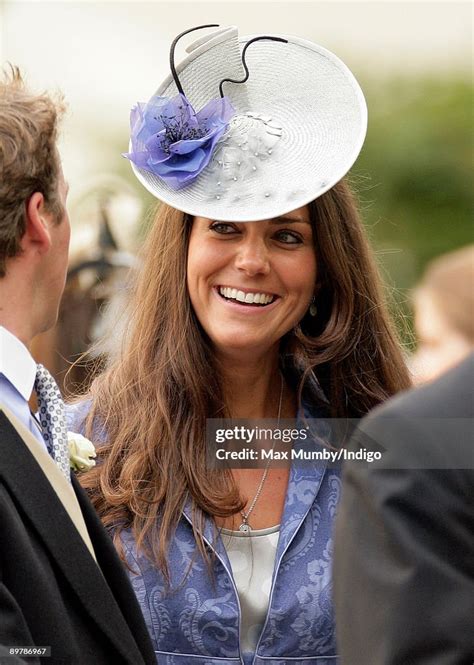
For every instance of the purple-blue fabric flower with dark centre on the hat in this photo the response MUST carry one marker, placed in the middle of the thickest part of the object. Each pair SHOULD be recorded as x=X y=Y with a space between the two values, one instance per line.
x=174 y=142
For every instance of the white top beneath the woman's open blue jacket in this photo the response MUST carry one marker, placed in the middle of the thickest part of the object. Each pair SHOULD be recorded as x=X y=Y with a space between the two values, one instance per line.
x=252 y=557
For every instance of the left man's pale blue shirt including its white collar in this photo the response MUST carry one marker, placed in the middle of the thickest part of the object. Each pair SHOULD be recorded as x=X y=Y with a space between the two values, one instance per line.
x=17 y=378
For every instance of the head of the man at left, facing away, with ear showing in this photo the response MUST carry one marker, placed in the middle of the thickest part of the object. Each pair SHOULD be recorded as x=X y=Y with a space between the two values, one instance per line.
x=34 y=226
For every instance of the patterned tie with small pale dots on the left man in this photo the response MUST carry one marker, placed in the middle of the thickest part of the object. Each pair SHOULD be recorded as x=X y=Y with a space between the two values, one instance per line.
x=52 y=419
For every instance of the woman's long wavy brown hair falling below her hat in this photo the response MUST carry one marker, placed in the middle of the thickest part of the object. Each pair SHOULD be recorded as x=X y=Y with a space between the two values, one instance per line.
x=156 y=392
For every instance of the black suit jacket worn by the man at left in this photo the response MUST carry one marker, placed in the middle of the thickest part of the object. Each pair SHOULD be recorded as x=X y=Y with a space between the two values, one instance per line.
x=52 y=592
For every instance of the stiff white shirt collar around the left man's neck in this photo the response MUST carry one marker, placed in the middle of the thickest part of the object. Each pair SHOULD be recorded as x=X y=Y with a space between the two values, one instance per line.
x=17 y=363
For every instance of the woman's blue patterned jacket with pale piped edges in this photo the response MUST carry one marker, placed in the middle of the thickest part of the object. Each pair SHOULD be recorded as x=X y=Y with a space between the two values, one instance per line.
x=198 y=624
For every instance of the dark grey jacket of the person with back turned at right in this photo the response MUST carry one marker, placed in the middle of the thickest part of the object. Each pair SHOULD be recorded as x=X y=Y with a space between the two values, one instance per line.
x=404 y=550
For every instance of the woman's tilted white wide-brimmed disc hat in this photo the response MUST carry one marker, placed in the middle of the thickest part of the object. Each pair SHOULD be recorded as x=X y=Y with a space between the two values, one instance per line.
x=298 y=125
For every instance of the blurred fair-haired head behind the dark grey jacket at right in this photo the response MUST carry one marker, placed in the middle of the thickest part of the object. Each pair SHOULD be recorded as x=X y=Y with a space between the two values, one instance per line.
x=444 y=314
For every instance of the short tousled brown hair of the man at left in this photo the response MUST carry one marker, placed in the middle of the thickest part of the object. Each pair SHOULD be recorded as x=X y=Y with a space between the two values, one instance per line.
x=29 y=161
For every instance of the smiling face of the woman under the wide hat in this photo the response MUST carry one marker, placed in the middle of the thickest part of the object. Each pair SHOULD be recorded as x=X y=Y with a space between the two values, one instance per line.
x=251 y=282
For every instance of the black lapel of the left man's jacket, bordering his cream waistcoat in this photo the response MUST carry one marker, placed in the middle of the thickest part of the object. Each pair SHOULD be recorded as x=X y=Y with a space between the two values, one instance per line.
x=21 y=473
